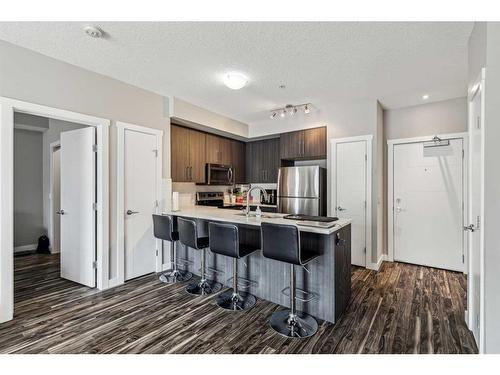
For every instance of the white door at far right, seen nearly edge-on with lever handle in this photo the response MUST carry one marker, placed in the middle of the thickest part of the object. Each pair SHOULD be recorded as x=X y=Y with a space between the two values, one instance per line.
x=475 y=213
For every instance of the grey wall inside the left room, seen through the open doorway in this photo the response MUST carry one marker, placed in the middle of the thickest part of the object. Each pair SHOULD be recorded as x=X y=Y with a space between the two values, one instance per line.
x=28 y=207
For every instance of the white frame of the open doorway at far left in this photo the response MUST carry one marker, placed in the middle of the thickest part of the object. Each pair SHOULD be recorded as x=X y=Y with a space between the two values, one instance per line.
x=7 y=108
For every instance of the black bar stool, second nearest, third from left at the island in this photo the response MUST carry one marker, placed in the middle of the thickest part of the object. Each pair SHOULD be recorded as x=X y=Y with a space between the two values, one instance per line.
x=224 y=240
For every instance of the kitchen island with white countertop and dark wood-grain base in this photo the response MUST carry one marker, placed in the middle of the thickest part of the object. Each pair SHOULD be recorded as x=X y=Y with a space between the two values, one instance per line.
x=327 y=278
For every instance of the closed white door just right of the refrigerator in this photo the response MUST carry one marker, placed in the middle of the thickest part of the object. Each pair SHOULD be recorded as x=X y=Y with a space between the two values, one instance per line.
x=350 y=190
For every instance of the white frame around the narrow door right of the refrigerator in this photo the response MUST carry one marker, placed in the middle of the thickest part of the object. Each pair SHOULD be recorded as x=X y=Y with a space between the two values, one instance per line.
x=369 y=188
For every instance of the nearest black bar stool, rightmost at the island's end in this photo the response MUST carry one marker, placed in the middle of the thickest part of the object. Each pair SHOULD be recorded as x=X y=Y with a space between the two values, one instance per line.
x=282 y=242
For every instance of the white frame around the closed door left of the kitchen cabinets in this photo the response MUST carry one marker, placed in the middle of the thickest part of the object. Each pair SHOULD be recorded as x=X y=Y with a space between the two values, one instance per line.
x=120 y=195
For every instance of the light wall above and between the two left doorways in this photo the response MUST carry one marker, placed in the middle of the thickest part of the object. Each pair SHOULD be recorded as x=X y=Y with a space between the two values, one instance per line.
x=29 y=76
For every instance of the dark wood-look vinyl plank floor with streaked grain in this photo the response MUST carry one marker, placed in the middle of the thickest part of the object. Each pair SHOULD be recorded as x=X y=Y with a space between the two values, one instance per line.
x=401 y=309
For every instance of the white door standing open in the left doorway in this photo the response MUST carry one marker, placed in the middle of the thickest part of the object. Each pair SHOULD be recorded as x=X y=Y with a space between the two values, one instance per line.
x=78 y=195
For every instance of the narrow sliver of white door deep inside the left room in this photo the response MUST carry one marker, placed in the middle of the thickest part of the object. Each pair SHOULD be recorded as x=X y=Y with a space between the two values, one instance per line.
x=55 y=196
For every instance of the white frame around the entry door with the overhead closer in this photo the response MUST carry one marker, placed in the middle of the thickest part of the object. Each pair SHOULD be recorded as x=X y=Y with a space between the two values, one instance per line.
x=390 y=185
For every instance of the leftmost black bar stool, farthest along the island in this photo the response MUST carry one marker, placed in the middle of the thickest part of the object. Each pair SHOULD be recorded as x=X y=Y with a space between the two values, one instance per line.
x=164 y=229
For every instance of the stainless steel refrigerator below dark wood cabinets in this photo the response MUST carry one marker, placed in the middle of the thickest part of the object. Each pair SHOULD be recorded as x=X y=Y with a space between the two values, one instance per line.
x=302 y=190
